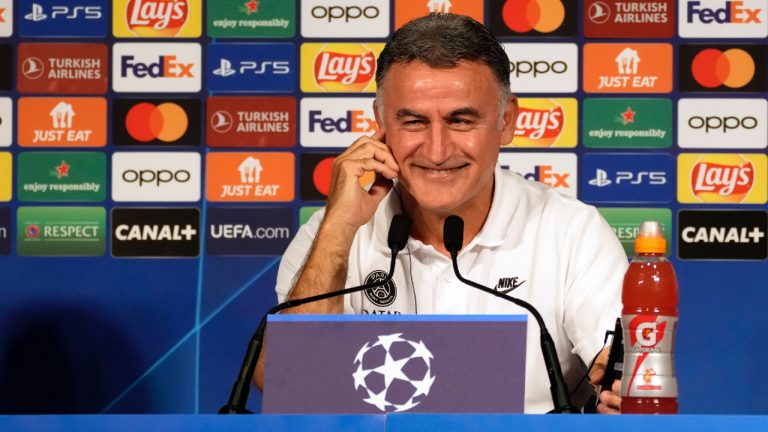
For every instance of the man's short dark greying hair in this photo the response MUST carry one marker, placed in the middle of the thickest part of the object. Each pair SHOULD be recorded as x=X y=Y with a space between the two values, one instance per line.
x=442 y=40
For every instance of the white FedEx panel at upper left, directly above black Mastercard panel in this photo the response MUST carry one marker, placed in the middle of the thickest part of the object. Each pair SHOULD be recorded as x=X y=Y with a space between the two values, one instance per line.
x=156 y=67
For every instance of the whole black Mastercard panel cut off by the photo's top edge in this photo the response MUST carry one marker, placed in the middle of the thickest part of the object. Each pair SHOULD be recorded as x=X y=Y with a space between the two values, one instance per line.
x=533 y=18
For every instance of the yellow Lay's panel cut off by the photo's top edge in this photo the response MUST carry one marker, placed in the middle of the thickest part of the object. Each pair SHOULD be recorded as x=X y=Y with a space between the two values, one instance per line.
x=157 y=18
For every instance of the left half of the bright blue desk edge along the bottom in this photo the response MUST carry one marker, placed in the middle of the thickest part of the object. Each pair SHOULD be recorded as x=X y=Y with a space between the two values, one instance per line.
x=191 y=423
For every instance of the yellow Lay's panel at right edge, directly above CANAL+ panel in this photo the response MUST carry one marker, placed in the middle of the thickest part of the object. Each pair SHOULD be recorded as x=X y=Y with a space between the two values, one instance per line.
x=714 y=178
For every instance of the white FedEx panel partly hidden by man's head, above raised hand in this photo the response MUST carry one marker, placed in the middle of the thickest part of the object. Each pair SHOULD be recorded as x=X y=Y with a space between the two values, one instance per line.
x=335 y=122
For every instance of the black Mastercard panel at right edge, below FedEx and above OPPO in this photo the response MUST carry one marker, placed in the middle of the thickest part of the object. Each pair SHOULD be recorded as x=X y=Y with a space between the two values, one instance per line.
x=723 y=68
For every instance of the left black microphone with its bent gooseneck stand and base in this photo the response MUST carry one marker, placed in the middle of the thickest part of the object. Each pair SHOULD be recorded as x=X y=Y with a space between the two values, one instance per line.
x=396 y=240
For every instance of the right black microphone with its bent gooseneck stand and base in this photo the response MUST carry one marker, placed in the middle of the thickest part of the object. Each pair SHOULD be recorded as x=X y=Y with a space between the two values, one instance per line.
x=453 y=239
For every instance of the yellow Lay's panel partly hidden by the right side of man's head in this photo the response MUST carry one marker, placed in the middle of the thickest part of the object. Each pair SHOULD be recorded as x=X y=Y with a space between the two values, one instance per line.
x=544 y=123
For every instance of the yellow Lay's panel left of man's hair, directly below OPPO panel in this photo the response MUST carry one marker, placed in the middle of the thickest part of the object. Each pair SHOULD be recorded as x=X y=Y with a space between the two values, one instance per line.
x=339 y=67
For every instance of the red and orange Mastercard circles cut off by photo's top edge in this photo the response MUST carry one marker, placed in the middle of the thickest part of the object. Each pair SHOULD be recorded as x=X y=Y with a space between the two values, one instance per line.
x=522 y=16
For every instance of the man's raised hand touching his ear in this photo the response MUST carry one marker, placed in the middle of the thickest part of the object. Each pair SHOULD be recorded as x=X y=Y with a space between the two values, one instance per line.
x=349 y=205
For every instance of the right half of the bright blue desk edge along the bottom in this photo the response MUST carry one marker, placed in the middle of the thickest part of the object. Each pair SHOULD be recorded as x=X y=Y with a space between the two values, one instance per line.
x=559 y=423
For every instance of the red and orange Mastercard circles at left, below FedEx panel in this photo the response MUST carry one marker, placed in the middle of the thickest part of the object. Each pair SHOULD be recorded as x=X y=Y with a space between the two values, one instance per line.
x=166 y=122
